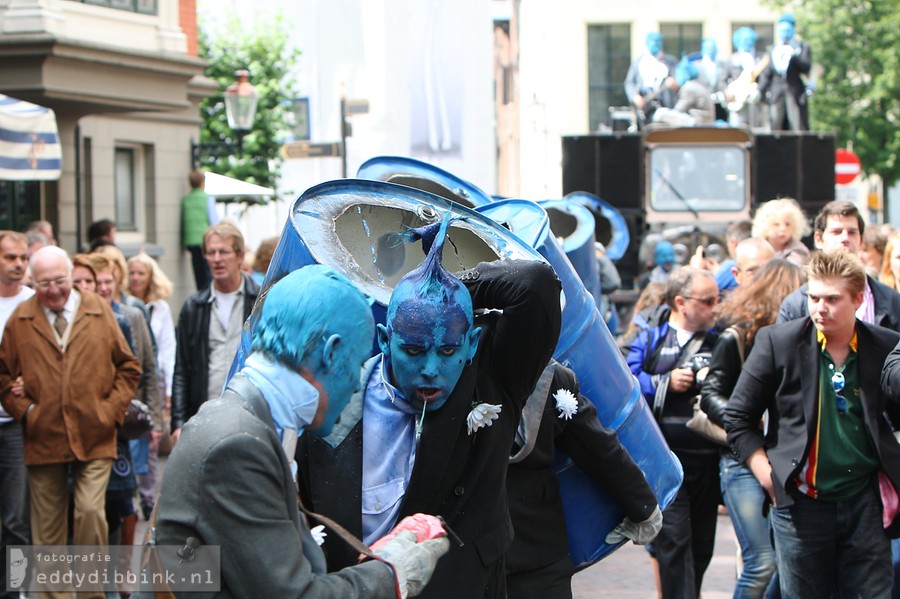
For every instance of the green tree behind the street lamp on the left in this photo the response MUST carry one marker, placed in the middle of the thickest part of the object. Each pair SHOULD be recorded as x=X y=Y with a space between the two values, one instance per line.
x=264 y=50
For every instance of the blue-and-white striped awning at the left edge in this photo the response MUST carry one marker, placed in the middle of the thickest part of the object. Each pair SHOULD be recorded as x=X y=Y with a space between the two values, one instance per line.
x=29 y=142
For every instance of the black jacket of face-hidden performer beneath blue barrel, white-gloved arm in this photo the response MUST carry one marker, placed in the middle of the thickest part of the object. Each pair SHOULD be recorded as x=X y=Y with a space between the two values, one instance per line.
x=534 y=500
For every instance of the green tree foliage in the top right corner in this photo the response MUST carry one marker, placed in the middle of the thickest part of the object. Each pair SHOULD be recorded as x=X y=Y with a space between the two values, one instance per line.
x=857 y=43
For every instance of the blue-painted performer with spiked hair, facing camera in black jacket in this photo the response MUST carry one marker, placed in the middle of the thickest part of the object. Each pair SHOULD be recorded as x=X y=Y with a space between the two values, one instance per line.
x=432 y=429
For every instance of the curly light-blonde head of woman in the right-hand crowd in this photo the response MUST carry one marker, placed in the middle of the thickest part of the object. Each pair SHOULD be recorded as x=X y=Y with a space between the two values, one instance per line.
x=782 y=223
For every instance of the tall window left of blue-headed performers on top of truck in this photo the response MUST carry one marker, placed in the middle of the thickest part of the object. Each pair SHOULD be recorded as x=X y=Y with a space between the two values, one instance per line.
x=609 y=55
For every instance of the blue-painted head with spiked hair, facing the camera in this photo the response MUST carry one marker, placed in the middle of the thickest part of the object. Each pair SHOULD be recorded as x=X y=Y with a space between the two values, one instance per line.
x=429 y=335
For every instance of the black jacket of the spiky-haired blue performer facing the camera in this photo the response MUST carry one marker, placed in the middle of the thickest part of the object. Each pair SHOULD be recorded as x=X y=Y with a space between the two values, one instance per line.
x=456 y=475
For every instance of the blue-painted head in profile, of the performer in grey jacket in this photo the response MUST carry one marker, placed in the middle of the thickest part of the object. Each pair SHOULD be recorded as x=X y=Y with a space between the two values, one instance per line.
x=299 y=329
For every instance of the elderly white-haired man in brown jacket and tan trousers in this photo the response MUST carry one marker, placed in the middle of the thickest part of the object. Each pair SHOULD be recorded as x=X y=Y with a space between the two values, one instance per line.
x=79 y=376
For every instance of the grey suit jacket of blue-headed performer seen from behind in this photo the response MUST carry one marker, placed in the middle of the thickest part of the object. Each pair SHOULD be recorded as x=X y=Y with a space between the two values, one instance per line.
x=228 y=483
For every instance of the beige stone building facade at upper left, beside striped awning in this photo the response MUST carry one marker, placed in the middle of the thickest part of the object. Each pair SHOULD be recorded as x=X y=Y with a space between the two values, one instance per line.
x=124 y=79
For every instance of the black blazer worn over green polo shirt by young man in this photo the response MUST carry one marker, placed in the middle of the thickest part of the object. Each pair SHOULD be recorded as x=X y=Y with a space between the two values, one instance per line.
x=781 y=375
